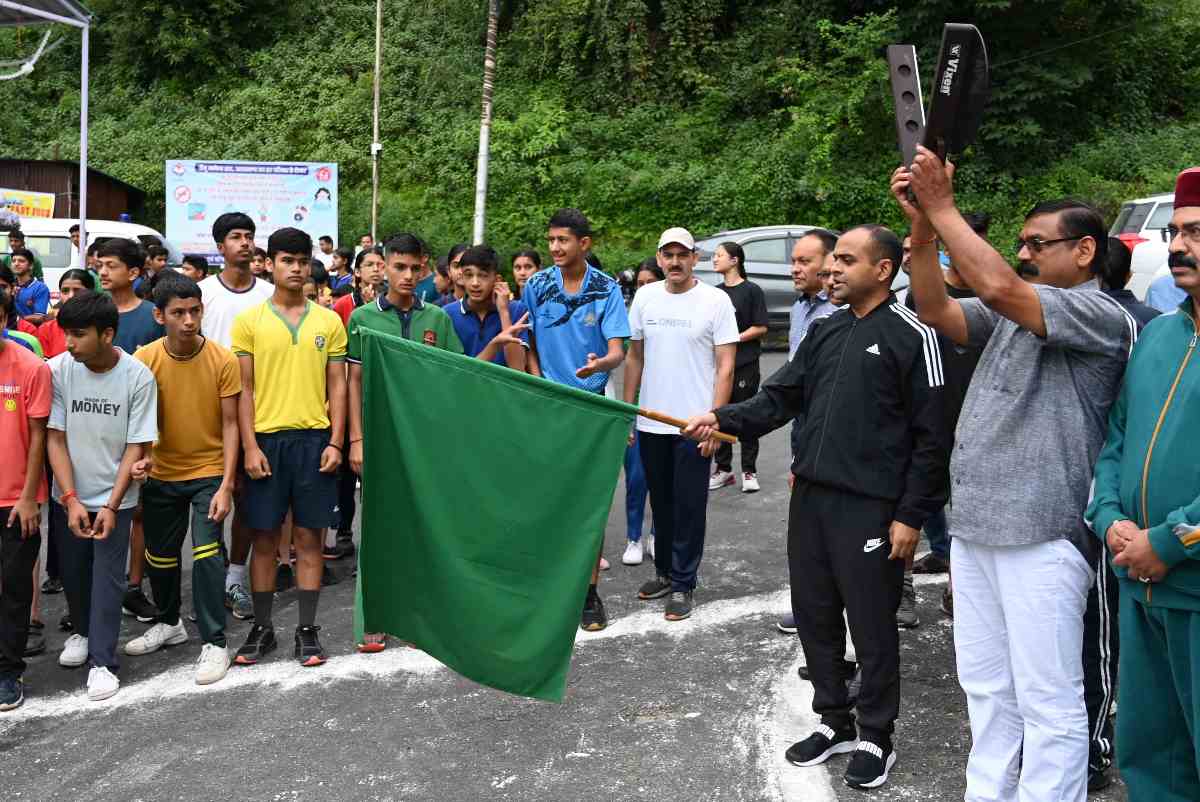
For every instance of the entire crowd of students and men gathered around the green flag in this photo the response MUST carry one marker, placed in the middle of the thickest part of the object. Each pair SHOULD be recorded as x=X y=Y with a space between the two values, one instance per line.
x=981 y=408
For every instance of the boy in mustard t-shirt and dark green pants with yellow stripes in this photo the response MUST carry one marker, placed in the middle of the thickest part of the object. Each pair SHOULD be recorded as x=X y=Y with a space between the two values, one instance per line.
x=191 y=474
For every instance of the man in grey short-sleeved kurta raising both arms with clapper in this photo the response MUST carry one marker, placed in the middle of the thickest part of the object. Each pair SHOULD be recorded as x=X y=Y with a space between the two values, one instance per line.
x=1031 y=428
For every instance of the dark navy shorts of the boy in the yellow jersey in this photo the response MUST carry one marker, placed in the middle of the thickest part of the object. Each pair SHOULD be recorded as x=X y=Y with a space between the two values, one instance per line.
x=296 y=483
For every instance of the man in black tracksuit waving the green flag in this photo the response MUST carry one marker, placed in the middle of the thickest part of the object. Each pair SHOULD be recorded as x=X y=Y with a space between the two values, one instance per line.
x=868 y=384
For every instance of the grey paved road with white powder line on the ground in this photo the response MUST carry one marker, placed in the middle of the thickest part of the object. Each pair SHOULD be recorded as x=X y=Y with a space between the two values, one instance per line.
x=701 y=709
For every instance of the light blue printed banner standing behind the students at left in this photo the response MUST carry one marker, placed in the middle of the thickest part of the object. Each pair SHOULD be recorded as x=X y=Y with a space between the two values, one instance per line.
x=275 y=195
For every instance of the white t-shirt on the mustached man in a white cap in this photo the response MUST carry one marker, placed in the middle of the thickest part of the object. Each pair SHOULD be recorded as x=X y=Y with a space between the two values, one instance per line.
x=680 y=333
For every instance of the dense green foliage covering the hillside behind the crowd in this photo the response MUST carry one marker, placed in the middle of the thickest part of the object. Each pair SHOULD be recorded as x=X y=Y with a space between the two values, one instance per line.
x=644 y=113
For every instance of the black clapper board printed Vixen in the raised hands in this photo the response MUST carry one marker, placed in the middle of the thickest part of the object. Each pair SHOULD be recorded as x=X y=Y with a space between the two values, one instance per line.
x=959 y=93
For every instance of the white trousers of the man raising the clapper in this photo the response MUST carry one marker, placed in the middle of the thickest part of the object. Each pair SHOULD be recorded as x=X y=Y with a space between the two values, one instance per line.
x=1019 y=639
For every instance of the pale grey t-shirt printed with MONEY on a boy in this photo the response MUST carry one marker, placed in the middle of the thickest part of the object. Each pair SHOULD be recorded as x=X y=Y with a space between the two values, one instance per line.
x=100 y=415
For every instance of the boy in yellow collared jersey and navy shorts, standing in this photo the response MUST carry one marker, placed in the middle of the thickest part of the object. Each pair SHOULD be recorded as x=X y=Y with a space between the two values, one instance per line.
x=292 y=354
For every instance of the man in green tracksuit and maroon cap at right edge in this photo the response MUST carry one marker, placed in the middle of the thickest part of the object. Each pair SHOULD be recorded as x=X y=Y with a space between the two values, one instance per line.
x=1147 y=508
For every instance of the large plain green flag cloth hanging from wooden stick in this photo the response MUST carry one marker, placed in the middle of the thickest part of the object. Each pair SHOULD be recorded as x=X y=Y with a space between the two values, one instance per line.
x=485 y=498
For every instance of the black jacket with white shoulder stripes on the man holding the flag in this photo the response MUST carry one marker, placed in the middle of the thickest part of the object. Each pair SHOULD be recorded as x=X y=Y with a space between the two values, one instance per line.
x=872 y=397
